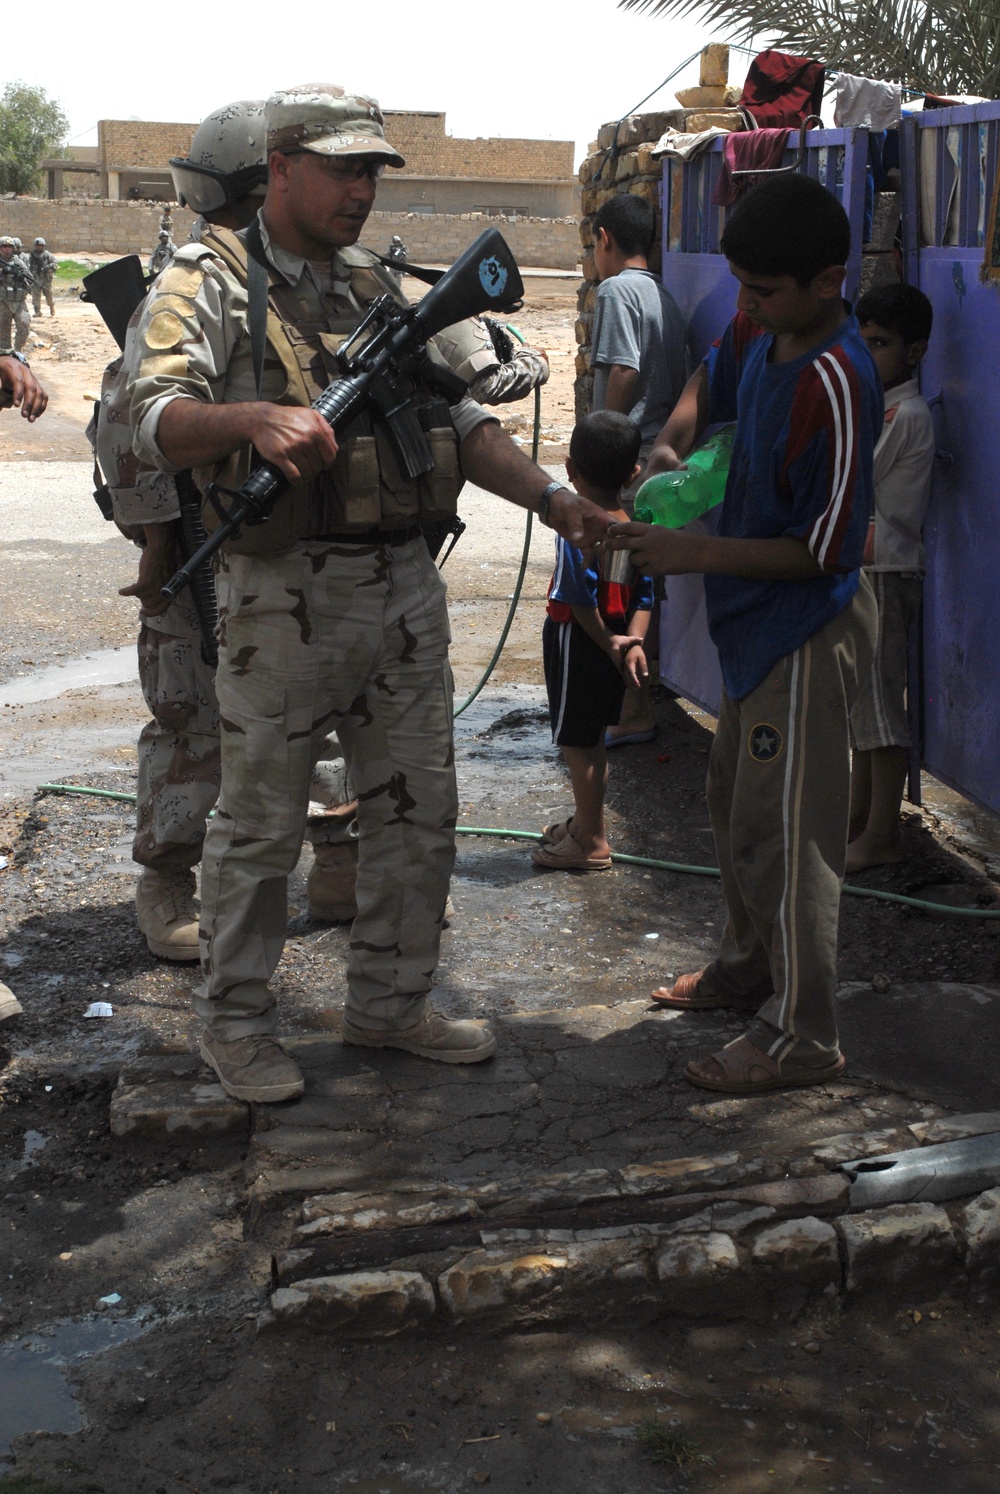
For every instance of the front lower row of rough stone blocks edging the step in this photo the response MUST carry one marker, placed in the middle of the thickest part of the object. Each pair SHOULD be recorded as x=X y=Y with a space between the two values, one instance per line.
x=726 y=1263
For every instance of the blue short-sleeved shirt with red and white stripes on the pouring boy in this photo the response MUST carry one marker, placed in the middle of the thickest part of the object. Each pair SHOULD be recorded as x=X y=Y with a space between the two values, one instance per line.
x=802 y=465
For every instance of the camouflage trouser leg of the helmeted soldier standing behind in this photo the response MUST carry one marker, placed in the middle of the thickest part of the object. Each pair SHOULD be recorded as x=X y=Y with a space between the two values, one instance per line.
x=179 y=749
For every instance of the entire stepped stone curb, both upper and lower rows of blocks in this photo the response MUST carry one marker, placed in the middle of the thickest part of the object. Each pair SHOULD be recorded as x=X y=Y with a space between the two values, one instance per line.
x=730 y=1257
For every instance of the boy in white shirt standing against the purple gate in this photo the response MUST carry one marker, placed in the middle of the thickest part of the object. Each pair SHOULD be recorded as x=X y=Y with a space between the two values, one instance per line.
x=896 y=323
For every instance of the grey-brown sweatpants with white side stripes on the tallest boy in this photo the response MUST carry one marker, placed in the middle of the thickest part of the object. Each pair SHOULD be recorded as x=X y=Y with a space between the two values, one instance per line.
x=780 y=791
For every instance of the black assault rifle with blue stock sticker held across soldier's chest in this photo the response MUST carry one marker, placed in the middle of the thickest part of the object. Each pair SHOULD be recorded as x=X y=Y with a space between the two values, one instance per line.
x=382 y=364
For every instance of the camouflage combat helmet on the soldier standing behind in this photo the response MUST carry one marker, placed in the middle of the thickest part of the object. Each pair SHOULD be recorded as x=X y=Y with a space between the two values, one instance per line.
x=228 y=159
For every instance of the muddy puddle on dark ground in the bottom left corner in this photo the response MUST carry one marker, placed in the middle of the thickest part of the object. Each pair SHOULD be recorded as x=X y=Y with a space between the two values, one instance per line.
x=35 y=1392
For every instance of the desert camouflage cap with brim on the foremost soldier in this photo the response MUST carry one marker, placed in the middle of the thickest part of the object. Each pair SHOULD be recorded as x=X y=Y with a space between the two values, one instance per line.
x=328 y=120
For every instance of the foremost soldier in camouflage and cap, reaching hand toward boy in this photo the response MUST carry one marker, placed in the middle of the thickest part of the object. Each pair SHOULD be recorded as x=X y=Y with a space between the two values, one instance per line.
x=333 y=613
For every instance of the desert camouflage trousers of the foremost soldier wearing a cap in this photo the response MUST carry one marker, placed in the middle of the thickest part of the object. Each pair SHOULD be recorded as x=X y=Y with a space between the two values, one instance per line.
x=322 y=637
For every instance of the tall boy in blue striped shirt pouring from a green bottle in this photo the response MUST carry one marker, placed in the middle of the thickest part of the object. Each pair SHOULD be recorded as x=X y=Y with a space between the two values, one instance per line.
x=793 y=619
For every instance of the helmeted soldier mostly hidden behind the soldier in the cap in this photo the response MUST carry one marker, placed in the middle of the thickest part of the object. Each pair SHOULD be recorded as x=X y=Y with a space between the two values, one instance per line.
x=179 y=748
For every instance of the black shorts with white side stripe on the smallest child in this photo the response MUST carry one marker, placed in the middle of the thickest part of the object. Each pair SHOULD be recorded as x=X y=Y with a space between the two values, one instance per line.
x=585 y=689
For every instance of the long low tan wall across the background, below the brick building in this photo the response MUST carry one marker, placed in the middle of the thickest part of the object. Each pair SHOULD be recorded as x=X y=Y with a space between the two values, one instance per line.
x=125 y=228
